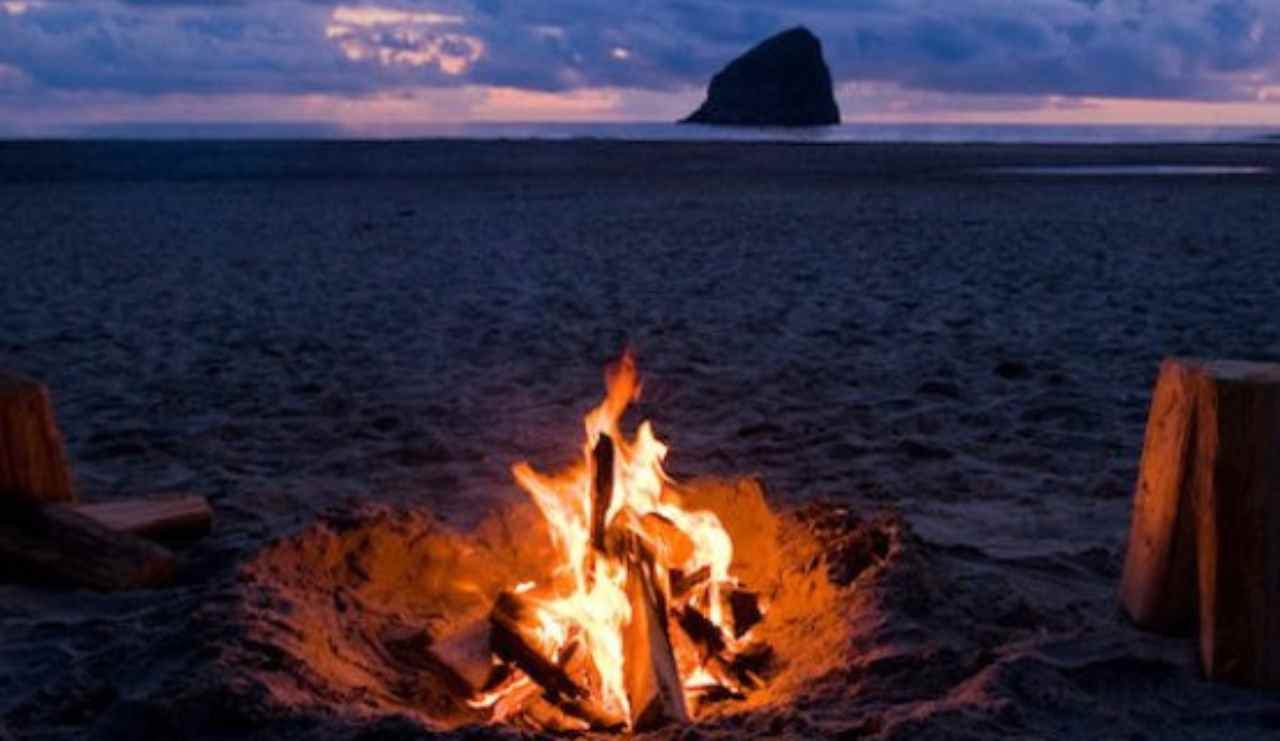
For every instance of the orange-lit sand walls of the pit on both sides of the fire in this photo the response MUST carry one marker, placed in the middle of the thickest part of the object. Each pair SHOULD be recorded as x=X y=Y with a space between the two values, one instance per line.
x=354 y=603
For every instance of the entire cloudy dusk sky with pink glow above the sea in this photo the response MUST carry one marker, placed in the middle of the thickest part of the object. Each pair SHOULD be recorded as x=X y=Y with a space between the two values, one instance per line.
x=400 y=63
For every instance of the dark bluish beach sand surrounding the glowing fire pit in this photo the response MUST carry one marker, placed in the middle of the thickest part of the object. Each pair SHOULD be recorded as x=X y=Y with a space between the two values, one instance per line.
x=300 y=331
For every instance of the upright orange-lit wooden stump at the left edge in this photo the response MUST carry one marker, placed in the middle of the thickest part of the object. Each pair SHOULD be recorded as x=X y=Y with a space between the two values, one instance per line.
x=33 y=459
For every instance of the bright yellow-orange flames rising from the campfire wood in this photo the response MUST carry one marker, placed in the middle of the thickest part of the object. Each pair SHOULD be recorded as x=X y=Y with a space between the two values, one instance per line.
x=586 y=598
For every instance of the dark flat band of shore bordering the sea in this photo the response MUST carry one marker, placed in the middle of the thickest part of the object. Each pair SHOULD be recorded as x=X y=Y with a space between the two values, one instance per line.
x=597 y=161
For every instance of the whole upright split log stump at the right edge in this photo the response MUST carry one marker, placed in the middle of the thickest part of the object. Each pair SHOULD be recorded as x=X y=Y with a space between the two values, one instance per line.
x=1206 y=527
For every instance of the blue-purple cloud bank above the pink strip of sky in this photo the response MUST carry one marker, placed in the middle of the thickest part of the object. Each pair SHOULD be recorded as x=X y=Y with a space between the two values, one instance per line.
x=1191 y=49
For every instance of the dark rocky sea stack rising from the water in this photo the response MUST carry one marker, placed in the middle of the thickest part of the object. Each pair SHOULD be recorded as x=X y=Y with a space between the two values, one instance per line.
x=781 y=83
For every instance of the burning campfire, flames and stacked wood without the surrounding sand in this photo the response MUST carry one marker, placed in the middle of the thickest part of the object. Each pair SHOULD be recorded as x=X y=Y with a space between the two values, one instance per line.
x=638 y=623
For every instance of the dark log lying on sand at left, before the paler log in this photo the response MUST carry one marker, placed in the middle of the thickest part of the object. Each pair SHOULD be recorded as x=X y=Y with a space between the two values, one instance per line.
x=58 y=546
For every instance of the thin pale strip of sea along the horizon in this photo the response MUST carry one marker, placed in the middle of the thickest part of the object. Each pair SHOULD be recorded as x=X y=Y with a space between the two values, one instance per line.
x=904 y=132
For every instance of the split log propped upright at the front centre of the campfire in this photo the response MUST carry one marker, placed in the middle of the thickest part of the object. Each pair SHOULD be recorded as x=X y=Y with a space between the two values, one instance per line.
x=651 y=676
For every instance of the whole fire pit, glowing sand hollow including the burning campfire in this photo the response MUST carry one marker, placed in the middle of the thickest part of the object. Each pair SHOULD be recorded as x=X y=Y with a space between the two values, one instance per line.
x=616 y=600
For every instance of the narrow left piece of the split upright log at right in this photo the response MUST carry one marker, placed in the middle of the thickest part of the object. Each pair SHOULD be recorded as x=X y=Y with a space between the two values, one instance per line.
x=1159 y=586
